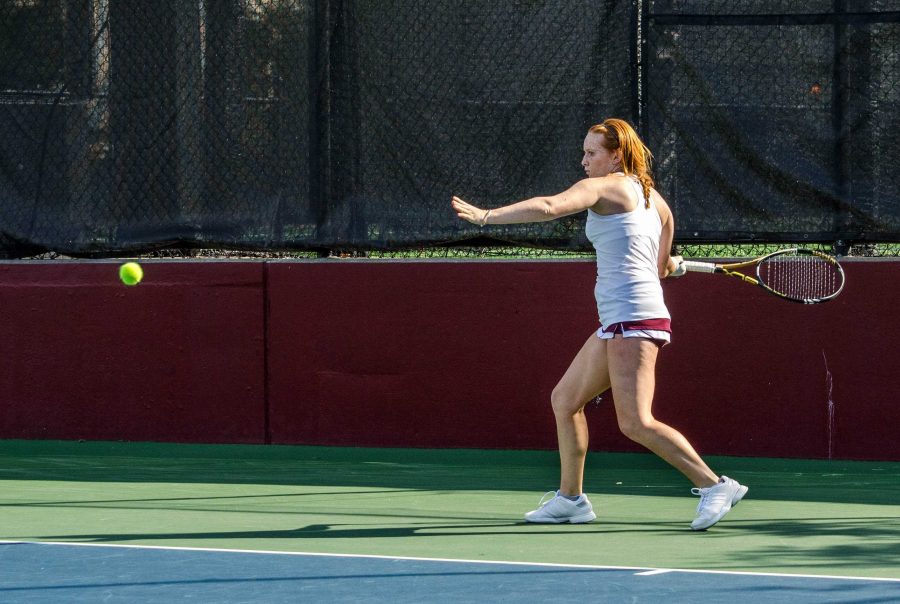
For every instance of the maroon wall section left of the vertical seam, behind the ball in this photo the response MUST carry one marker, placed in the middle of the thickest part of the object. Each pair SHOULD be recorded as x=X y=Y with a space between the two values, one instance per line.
x=177 y=358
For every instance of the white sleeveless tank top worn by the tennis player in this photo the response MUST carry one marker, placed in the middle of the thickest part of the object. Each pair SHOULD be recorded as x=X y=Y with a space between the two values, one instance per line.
x=627 y=244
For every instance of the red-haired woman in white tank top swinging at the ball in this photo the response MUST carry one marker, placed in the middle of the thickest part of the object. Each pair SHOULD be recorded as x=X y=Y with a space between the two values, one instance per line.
x=631 y=228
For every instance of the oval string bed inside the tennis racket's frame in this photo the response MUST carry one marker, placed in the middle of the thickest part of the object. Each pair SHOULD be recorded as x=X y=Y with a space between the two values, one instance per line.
x=801 y=276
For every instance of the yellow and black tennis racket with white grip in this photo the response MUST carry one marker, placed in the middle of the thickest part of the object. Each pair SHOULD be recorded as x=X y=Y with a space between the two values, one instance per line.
x=798 y=275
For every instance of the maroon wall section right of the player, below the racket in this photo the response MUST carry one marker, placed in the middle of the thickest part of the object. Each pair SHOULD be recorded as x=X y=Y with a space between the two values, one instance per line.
x=752 y=374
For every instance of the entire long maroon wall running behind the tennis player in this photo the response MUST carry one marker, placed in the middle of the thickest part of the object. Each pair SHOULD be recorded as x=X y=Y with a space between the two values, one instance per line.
x=428 y=354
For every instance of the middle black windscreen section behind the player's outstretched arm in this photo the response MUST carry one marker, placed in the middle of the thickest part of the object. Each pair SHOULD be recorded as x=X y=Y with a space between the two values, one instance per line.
x=487 y=100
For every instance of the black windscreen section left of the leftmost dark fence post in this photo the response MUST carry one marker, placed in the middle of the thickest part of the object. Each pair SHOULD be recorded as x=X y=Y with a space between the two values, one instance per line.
x=140 y=124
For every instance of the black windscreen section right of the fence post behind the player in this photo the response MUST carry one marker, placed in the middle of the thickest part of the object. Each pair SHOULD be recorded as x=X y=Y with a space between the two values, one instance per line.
x=776 y=120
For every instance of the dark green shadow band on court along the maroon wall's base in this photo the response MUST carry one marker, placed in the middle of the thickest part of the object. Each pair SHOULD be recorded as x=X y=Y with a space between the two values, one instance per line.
x=631 y=474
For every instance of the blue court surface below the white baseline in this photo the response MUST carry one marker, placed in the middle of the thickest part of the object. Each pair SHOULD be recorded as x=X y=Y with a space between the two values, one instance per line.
x=48 y=572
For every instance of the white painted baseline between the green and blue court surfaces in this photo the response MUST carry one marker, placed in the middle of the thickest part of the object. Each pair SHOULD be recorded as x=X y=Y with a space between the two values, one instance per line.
x=644 y=570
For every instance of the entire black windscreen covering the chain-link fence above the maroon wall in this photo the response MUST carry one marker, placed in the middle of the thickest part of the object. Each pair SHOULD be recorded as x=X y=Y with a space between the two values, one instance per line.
x=321 y=124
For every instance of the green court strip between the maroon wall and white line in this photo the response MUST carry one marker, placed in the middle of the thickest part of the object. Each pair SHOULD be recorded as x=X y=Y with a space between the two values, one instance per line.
x=833 y=518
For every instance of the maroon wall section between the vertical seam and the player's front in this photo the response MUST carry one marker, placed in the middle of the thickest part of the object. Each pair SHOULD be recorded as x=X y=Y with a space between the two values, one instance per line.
x=422 y=354
